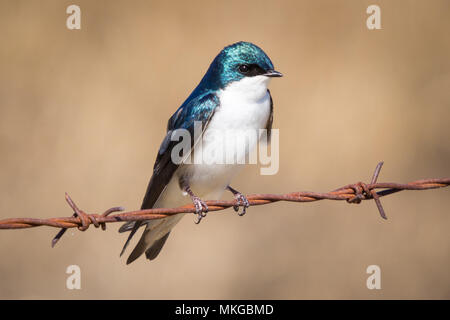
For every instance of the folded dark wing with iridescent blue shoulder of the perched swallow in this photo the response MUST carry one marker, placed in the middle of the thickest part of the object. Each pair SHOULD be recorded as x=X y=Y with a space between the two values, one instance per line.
x=198 y=108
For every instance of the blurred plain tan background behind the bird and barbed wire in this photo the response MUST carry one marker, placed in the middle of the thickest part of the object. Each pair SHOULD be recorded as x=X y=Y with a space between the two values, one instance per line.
x=84 y=112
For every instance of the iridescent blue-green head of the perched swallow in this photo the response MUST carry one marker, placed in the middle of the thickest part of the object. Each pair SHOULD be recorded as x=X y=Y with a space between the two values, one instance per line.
x=236 y=62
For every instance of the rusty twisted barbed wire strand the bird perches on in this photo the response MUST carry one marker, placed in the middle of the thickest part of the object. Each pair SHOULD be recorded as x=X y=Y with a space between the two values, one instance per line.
x=352 y=193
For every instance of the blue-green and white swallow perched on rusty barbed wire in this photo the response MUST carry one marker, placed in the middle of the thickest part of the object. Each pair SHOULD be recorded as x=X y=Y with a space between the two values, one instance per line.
x=233 y=95
